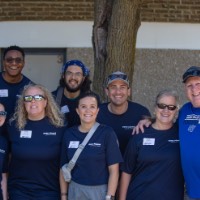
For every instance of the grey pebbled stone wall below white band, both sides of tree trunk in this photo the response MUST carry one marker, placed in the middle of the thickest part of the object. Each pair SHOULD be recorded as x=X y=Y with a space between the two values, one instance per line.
x=155 y=70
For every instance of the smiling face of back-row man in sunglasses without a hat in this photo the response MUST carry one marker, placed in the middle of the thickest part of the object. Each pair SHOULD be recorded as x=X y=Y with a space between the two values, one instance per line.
x=13 y=64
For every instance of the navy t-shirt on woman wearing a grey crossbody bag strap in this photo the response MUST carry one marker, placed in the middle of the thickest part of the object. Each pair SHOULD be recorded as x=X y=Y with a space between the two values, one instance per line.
x=100 y=152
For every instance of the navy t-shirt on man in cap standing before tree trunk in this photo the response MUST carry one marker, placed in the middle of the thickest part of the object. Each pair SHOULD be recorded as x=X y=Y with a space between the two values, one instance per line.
x=122 y=124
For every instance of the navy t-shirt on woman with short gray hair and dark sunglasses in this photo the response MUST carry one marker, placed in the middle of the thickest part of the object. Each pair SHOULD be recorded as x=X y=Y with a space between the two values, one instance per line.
x=153 y=160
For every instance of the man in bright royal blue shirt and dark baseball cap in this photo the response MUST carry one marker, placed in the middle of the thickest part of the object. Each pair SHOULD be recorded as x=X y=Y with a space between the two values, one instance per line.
x=189 y=132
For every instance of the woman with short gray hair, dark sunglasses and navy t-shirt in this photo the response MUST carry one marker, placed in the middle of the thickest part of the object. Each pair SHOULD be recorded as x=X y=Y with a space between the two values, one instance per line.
x=152 y=166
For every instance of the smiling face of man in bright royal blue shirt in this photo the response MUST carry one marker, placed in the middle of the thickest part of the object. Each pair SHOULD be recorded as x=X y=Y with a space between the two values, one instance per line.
x=192 y=90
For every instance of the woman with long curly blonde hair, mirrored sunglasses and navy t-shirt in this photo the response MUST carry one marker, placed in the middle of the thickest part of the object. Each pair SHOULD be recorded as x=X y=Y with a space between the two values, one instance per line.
x=35 y=134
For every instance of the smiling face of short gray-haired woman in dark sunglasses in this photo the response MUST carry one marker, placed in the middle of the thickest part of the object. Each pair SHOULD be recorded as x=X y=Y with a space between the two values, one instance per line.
x=164 y=115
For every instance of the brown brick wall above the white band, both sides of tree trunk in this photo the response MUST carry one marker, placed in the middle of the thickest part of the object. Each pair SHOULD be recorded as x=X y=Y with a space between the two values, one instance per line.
x=152 y=10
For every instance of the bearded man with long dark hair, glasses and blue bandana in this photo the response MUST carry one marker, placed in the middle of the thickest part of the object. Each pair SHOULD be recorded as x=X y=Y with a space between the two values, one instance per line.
x=74 y=81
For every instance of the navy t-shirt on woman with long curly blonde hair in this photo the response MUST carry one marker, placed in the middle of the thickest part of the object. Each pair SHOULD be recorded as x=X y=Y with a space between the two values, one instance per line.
x=35 y=160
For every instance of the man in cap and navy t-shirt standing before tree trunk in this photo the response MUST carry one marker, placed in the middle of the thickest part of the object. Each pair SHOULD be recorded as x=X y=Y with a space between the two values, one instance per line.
x=120 y=113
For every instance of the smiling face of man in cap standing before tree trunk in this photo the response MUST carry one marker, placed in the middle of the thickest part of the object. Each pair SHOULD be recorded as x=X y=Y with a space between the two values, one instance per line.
x=118 y=92
